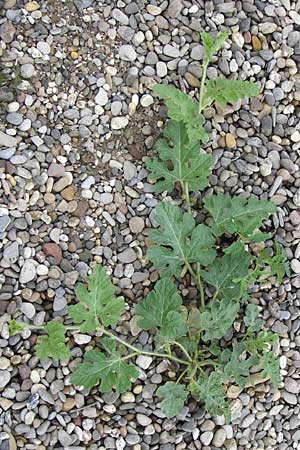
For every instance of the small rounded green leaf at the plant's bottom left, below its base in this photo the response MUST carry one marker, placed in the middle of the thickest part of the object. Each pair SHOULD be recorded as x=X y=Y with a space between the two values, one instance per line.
x=174 y=396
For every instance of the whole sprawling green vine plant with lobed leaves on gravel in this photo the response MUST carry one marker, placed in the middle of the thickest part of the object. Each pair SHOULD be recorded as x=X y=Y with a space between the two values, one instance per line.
x=189 y=337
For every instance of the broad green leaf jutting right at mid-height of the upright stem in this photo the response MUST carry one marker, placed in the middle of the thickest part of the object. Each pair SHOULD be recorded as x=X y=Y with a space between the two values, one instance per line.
x=237 y=214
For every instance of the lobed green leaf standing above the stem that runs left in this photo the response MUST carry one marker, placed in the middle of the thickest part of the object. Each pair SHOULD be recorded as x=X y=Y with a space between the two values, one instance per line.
x=96 y=302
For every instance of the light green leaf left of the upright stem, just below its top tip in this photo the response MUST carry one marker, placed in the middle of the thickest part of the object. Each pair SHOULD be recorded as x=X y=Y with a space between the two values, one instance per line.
x=182 y=109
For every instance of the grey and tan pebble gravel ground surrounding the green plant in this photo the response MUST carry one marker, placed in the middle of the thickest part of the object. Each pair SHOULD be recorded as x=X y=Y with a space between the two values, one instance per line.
x=77 y=119
